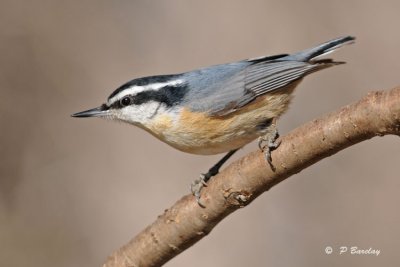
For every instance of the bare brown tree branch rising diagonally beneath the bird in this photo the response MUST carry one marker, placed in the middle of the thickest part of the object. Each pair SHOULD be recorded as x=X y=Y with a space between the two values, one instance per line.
x=241 y=182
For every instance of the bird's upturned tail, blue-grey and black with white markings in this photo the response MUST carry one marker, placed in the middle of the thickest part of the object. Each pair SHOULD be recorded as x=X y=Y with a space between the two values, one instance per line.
x=322 y=49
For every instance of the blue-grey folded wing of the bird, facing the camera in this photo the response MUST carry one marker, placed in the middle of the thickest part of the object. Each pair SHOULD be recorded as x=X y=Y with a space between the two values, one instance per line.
x=223 y=89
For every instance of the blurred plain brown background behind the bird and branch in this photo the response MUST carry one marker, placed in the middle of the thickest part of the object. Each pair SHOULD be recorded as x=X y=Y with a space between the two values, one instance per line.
x=73 y=190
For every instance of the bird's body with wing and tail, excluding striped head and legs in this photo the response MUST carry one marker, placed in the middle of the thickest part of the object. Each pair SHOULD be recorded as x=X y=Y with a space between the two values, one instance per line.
x=227 y=106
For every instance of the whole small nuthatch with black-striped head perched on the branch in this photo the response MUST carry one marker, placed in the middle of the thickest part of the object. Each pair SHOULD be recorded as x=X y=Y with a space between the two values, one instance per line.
x=220 y=108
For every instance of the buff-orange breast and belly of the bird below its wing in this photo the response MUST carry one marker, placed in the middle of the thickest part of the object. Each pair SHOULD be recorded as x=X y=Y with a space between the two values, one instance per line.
x=199 y=133
